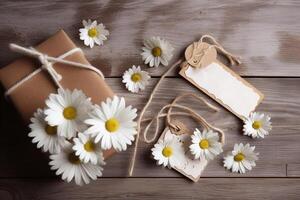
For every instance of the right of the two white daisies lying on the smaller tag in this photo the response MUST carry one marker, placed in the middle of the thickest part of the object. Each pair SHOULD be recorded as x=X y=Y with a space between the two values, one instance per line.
x=205 y=144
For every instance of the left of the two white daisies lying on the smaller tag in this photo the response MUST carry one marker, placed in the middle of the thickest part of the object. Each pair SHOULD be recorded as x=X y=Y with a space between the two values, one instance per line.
x=167 y=152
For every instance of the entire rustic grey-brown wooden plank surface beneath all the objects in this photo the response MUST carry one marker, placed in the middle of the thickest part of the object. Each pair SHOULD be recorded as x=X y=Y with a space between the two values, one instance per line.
x=265 y=33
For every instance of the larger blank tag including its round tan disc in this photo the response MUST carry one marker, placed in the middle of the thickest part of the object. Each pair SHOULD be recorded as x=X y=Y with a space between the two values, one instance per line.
x=219 y=82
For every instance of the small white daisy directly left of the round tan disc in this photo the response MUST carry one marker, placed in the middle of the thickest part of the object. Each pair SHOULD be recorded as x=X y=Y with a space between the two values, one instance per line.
x=156 y=51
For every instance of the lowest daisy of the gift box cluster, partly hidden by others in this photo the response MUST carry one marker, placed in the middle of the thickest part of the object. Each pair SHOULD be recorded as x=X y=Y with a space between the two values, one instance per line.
x=69 y=166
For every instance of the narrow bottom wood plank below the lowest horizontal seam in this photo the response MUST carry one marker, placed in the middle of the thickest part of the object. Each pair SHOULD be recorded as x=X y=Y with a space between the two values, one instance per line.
x=152 y=188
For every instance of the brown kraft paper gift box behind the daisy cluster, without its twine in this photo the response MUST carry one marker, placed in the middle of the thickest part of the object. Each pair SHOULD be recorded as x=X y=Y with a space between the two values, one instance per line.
x=31 y=95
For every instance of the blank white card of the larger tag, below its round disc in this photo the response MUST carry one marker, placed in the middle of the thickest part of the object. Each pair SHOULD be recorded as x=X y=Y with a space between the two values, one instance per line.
x=227 y=88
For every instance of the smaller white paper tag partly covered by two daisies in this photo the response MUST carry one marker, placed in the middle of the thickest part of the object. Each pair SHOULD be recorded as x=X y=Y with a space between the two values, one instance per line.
x=188 y=166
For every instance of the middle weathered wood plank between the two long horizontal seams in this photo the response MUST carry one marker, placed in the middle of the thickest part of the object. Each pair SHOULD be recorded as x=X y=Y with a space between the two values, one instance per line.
x=19 y=158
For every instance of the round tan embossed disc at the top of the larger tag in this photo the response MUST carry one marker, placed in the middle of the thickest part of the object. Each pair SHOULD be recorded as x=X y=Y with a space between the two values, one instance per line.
x=200 y=54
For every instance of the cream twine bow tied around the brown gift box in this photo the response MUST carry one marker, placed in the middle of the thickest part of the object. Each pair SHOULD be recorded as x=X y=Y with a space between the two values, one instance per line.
x=47 y=65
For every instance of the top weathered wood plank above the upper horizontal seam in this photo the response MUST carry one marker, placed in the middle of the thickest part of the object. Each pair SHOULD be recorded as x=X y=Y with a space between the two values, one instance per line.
x=265 y=33
